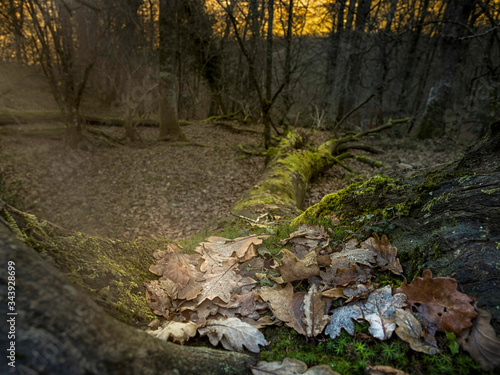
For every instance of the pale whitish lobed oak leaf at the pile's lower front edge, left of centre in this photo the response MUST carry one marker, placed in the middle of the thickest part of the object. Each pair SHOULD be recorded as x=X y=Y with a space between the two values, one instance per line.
x=233 y=334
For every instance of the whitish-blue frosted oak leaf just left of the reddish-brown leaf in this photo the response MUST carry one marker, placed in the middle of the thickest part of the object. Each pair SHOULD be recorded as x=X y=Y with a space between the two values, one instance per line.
x=379 y=310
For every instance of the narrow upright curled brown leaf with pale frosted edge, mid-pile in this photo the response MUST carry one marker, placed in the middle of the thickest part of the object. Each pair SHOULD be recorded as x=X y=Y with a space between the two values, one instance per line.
x=314 y=318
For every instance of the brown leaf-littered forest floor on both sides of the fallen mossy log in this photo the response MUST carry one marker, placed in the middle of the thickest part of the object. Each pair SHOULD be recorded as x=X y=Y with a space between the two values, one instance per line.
x=168 y=190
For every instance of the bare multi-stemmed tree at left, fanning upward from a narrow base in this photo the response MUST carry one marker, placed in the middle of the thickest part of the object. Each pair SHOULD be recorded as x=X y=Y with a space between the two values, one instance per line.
x=66 y=36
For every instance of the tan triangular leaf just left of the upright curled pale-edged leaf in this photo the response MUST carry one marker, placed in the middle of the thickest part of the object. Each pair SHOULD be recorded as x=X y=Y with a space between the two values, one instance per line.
x=285 y=305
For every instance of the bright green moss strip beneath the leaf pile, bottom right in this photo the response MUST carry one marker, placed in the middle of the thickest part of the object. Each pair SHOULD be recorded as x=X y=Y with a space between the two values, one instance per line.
x=351 y=355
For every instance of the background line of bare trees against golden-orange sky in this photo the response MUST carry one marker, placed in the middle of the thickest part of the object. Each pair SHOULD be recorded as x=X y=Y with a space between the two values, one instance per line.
x=329 y=64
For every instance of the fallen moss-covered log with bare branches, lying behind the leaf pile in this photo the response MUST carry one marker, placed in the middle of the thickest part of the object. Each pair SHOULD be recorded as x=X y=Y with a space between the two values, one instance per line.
x=291 y=166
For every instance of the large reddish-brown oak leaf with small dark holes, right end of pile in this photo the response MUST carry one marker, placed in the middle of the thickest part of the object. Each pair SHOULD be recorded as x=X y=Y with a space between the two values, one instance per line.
x=439 y=304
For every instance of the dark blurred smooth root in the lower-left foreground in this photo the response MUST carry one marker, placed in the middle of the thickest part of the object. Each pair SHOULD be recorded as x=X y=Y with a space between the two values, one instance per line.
x=59 y=330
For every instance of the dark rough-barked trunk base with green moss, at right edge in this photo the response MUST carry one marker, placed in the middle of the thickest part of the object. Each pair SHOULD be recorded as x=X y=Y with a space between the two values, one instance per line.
x=447 y=220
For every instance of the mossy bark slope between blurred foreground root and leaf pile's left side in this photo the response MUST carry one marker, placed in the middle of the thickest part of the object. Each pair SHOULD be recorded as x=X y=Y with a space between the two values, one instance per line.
x=113 y=271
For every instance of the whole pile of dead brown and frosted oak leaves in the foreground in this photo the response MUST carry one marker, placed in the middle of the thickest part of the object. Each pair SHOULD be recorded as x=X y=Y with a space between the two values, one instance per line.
x=229 y=290
